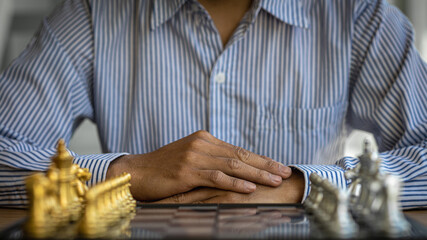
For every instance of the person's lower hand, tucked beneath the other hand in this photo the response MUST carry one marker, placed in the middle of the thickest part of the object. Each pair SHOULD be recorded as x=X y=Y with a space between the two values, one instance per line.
x=290 y=191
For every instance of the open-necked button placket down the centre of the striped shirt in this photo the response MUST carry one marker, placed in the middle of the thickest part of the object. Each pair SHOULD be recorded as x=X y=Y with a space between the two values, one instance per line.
x=218 y=65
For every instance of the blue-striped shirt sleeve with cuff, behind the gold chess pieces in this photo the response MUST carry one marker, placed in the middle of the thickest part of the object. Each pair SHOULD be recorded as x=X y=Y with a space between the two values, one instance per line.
x=44 y=95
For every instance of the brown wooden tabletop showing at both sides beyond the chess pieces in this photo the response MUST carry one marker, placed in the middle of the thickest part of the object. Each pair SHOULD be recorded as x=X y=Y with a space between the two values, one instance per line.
x=9 y=216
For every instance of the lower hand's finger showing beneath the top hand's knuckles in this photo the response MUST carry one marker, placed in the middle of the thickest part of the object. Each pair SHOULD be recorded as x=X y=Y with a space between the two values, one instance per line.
x=197 y=195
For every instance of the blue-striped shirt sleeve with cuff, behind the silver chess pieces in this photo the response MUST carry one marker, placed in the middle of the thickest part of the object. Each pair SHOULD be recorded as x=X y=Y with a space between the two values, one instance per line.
x=387 y=96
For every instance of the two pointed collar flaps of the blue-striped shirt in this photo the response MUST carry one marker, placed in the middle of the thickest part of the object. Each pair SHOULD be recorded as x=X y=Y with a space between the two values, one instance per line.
x=288 y=11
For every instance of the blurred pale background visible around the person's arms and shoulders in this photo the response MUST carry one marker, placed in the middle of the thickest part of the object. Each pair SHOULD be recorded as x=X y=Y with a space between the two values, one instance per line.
x=19 y=19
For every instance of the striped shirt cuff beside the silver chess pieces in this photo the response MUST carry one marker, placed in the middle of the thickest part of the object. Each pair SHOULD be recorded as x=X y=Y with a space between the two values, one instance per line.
x=333 y=173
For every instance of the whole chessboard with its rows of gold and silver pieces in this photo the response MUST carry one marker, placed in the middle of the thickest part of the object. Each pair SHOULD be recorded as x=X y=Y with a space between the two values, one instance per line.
x=62 y=206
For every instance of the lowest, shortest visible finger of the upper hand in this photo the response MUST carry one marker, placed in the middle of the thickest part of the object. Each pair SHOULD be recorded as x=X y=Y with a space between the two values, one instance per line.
x=220 y=180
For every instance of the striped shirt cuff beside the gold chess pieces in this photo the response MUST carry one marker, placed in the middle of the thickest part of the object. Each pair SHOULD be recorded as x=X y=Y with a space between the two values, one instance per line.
x=97 y=164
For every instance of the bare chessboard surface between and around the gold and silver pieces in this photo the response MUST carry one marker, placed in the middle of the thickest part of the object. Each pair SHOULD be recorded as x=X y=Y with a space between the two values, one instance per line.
x=225 y=221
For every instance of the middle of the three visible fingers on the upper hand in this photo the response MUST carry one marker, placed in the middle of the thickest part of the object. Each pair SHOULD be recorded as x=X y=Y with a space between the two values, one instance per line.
x=236 y=168
